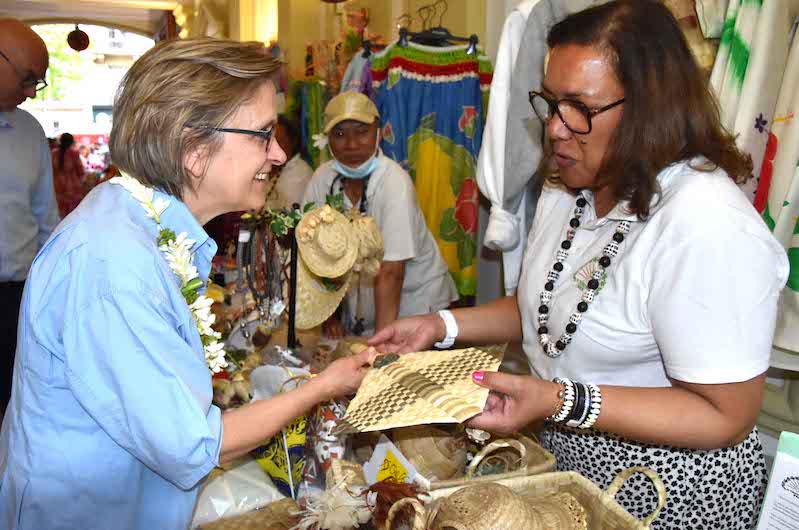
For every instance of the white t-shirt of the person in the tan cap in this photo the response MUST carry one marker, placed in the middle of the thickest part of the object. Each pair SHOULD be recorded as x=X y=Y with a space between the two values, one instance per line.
x=391 y=200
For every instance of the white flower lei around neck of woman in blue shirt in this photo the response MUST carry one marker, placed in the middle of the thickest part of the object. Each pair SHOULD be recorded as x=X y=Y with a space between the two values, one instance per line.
x=177 y=251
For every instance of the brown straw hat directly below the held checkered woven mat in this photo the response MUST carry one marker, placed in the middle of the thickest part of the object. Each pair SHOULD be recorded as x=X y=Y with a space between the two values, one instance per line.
x=436 y=453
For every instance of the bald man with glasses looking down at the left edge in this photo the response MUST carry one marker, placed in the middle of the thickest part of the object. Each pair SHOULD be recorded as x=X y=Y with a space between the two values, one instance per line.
x=28 y=210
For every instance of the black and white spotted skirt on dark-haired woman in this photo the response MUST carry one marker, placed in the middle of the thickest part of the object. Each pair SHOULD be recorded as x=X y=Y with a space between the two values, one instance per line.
x=720 y=489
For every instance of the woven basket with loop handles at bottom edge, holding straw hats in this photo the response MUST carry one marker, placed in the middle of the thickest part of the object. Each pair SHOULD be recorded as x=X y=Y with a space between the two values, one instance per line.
x=602 y=509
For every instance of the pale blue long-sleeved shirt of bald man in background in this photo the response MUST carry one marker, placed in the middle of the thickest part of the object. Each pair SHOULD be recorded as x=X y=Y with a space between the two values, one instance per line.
x=28 y=209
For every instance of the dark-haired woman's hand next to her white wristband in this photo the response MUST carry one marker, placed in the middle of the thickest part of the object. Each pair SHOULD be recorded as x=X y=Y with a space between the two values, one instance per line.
x=410 y=334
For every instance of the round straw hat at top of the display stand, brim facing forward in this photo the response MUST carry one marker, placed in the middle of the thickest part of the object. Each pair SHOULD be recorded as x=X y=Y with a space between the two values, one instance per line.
x=326 y=242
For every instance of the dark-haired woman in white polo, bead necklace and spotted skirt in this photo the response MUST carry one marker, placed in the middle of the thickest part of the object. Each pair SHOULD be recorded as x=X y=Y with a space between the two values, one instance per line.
x=648 y=297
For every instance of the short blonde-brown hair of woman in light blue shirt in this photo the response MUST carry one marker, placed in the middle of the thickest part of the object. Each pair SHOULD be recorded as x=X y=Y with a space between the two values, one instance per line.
x=177 y=84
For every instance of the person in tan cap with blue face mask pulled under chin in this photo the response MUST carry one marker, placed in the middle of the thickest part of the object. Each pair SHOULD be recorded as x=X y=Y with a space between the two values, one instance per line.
x=413 y=277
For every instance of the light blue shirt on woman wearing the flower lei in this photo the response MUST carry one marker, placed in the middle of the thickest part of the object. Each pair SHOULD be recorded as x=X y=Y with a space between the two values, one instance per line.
x=110 y=424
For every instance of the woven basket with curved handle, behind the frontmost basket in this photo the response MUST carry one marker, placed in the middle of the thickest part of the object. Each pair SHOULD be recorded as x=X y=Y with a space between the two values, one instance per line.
x=531 y=459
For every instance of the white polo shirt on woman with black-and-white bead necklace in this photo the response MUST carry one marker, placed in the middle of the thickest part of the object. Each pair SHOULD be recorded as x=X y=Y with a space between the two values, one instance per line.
x=692 y=294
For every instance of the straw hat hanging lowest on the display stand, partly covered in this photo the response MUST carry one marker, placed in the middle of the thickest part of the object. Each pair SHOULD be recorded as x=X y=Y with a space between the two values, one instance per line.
x=315 y=301
